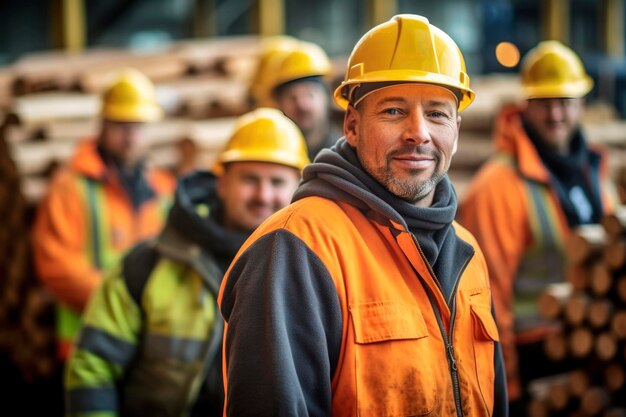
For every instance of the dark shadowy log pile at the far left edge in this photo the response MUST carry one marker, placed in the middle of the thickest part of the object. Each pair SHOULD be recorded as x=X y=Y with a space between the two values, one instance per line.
x=26 y=309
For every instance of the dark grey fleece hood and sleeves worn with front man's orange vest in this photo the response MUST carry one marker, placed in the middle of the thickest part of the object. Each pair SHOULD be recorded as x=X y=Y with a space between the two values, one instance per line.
x=280 y=299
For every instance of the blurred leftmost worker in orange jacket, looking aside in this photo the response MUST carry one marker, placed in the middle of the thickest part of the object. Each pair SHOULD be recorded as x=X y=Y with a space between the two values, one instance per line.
x=101 y=204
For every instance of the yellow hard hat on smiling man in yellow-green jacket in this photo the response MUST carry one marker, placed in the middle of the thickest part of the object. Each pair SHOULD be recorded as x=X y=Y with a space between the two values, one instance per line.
x=265 y=135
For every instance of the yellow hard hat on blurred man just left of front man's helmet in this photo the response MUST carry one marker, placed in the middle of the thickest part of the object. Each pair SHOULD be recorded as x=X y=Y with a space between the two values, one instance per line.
x=306 y=60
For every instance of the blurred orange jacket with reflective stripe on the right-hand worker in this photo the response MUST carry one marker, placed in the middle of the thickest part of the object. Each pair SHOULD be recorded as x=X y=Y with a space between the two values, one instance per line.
x=514 y=212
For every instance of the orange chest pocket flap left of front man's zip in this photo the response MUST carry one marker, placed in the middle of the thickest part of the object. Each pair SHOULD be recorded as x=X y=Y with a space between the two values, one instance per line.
x=383 y=320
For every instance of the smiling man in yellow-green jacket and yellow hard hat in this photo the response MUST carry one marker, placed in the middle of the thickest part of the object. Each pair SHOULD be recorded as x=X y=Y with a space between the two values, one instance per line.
x=151 y=336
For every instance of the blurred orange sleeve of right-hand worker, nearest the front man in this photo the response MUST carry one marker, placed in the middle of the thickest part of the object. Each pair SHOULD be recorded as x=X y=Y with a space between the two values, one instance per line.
x=496 y=215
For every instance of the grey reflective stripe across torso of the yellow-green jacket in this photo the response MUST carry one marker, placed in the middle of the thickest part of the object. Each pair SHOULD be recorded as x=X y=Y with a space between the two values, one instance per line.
x=164 y=347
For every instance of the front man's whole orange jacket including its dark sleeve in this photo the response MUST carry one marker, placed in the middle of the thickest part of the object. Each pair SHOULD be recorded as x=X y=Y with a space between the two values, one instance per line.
x=341 y=315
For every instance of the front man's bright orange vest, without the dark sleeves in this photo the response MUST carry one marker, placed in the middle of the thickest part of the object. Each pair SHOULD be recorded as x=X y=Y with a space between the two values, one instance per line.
x=403 y=350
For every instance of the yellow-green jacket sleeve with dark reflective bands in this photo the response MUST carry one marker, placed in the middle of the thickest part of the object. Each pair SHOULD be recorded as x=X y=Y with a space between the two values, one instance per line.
x=105 y=346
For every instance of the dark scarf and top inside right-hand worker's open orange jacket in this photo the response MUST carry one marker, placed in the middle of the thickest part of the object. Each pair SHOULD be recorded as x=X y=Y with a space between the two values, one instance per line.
x=579 y=168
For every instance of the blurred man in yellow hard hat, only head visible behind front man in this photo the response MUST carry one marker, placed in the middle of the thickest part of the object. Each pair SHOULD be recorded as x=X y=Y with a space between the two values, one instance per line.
x=298 y=86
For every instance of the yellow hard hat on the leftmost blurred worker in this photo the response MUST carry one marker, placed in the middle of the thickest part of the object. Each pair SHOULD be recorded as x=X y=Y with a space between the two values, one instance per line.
x=131 y=98
